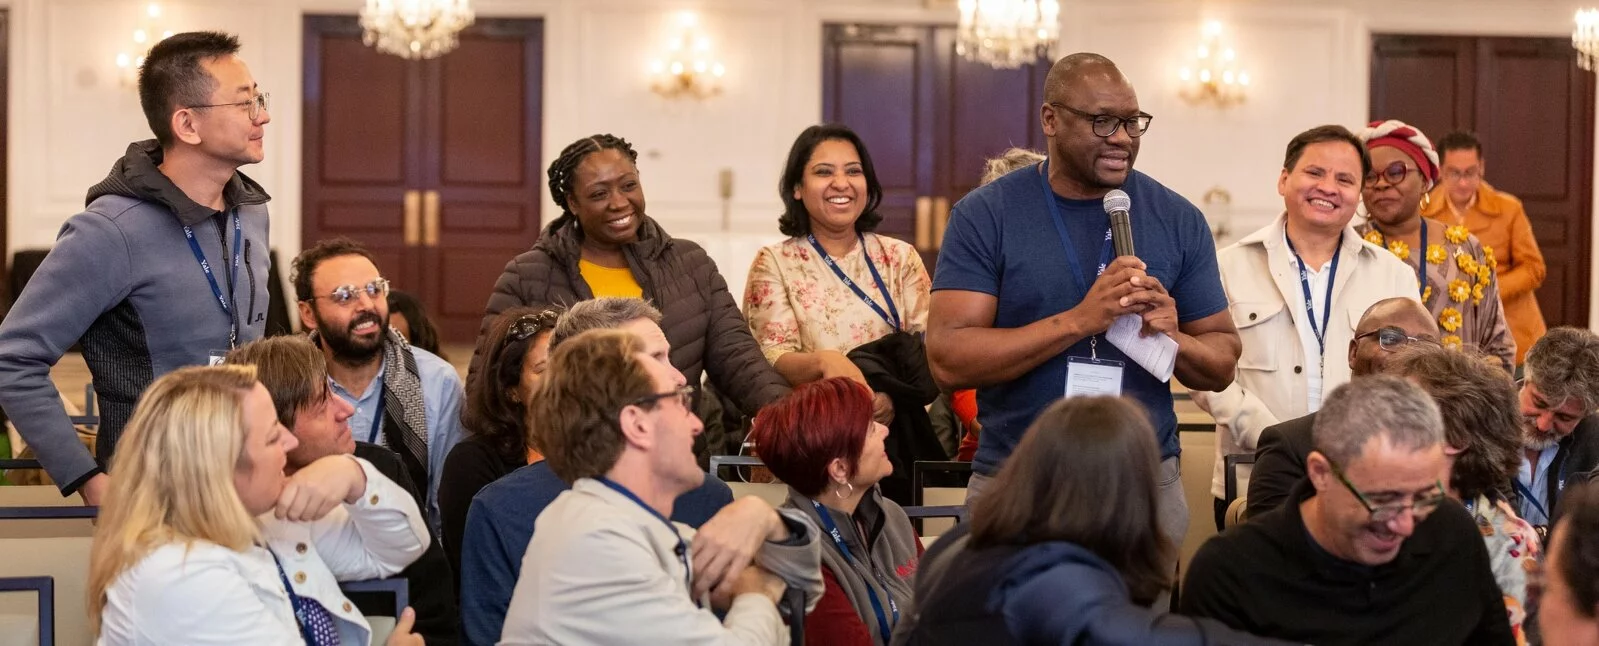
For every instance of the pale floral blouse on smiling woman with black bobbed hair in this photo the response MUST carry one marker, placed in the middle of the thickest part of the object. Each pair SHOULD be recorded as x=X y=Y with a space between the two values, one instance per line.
x=797 y=305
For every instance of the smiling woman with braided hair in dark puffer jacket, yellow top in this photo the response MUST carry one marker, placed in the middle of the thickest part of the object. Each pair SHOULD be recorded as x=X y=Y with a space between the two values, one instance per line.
x=604 y=244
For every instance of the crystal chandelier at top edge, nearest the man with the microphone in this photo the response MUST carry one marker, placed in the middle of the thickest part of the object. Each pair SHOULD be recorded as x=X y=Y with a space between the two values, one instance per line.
x=1008 y=34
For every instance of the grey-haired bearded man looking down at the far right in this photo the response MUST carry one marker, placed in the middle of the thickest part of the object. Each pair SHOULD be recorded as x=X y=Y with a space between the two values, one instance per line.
x=1561 y=434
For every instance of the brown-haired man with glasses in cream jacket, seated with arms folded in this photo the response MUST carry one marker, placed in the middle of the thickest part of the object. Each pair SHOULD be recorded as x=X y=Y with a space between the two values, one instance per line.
x=605 y=565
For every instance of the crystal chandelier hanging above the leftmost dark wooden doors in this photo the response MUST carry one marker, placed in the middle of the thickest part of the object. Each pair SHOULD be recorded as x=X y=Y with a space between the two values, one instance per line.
x=415 y=30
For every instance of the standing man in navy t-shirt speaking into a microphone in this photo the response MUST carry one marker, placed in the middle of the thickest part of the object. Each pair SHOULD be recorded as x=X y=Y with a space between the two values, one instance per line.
x=1027 y=287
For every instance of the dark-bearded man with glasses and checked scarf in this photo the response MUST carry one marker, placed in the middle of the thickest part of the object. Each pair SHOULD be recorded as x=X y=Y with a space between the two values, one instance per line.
x=405 y=399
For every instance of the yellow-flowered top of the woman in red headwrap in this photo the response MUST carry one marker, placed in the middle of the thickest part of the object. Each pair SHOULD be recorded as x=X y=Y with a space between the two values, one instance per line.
x=1461 y=289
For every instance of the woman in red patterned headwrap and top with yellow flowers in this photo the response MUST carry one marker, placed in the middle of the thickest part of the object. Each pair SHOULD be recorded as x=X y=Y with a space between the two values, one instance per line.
x=1454 y=274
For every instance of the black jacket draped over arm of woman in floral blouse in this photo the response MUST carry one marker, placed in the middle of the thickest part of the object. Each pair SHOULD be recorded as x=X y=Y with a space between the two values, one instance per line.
x=896 y=365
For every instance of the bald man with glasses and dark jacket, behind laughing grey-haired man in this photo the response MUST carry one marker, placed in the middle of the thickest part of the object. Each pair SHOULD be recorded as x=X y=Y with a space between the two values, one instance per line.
x=1386 y=329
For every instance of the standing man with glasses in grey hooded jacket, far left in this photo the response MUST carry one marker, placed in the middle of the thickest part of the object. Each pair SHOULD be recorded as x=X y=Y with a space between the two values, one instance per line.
x=165 y=268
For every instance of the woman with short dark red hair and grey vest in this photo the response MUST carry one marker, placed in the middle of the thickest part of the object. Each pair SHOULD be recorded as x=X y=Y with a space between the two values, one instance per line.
x=823 y=442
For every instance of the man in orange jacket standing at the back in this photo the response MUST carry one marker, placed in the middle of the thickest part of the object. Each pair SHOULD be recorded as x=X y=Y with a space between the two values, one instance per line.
x=1501 y=223
